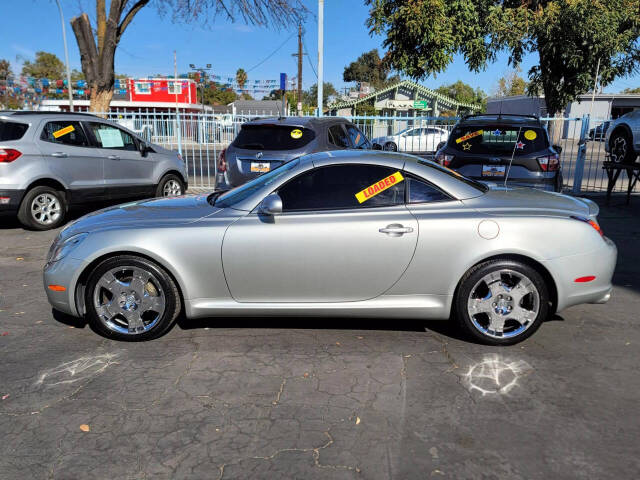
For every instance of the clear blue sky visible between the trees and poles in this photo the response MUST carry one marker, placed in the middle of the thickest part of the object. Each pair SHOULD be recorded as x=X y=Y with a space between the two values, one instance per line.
x=148 y=44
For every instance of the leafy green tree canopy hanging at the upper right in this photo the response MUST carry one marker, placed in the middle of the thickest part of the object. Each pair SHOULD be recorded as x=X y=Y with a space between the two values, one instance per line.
x=570 y=37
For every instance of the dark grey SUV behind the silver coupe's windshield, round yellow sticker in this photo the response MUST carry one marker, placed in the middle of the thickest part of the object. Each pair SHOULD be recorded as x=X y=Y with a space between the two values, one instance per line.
x=262 y=145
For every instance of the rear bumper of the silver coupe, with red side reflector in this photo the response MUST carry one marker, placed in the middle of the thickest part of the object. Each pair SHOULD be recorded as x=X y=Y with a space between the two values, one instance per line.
x=600 y=264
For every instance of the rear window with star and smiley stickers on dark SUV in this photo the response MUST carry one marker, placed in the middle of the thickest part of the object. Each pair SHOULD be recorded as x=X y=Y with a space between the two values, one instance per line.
x=498 y=139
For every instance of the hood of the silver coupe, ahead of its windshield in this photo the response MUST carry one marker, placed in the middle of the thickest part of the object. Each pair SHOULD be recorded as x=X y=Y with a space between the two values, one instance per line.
x=154 y=212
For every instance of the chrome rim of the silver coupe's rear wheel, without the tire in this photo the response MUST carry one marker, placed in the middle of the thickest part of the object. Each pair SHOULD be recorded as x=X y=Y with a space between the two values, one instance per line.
x=503 y=304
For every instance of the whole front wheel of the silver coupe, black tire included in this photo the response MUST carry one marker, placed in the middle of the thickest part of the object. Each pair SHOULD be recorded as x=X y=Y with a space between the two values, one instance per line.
x=131 y=298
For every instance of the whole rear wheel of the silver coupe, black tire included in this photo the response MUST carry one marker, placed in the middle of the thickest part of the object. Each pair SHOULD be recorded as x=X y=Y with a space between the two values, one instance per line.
x=501 y=302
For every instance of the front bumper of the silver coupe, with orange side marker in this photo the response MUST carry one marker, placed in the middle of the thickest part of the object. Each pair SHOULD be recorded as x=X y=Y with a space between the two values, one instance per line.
x=64 y=273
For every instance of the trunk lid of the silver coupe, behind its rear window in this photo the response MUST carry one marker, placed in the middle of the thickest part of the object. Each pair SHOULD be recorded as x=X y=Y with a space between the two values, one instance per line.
x=515 y=200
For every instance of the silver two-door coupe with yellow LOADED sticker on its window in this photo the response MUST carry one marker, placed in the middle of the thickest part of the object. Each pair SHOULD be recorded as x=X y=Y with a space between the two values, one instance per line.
x=344 y=233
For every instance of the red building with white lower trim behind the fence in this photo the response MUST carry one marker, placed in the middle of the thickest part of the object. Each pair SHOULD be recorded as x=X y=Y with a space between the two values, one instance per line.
x=141 y=95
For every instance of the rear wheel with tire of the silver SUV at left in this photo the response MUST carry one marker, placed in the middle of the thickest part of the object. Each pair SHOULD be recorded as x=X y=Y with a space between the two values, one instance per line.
x=43 y=208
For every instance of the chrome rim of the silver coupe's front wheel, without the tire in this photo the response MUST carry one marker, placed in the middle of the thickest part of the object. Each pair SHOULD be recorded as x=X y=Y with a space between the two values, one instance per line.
x=129 y=300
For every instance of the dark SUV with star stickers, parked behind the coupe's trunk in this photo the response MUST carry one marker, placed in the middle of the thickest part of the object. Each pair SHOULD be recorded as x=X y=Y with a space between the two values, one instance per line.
x=492 y=148
